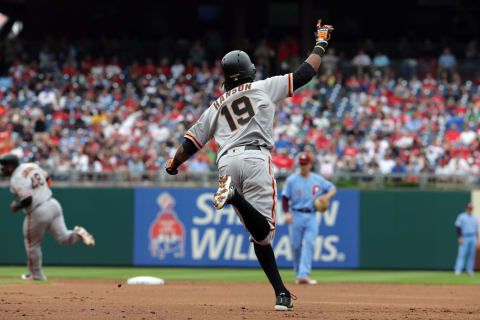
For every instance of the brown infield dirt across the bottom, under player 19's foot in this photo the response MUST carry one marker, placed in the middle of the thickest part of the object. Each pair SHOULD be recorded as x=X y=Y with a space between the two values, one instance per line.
x=99 y=299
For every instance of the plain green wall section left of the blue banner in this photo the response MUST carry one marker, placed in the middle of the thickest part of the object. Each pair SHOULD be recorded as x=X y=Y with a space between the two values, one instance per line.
x=107 y=213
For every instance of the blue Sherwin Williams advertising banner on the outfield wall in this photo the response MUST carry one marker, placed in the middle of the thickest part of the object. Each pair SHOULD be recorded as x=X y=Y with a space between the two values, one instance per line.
x=180 y=227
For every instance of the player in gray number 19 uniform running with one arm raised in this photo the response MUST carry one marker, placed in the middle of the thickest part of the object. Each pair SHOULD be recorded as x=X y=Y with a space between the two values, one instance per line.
x=241 y=122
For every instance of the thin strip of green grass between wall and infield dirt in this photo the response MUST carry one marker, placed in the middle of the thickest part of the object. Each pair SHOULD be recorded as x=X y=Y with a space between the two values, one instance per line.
x=10 y=275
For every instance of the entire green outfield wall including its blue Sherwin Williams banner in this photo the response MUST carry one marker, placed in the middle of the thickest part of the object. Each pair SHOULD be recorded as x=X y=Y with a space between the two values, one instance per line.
x=180 y=227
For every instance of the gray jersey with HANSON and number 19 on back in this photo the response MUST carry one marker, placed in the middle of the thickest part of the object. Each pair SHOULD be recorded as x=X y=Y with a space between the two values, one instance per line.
x=242 y=116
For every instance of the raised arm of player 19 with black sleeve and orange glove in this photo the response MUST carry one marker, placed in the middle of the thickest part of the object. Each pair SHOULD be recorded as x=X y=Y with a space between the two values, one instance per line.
x=309 y=68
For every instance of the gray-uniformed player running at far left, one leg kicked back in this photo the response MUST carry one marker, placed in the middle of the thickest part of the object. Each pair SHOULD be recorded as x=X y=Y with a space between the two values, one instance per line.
x=29 y=183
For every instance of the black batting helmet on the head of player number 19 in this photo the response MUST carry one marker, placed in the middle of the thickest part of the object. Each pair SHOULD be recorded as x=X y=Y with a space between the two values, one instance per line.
x=237 y=69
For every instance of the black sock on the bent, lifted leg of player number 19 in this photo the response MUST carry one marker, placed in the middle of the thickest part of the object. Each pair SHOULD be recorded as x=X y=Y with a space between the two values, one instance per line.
x=255 y=222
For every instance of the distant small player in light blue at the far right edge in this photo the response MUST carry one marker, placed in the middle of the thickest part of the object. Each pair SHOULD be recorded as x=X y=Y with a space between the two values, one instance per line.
x=467 y=229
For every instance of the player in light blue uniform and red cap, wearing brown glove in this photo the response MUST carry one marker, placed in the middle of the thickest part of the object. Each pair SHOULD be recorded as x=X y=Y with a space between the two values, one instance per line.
x=300 y=191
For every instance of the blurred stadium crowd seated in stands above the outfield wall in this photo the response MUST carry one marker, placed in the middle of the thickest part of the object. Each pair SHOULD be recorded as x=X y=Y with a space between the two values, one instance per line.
x=95 y=114
